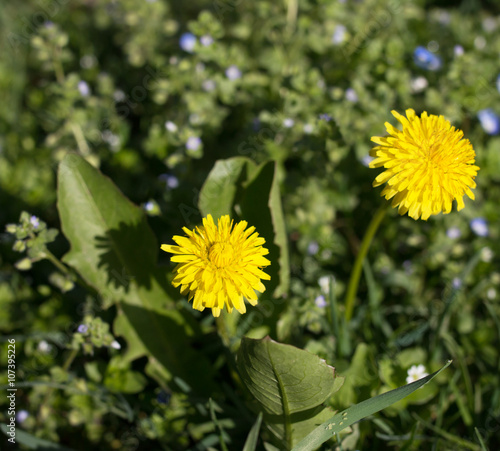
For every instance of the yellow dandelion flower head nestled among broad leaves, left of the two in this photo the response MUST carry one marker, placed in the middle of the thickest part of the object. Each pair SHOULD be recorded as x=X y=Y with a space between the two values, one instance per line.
x=219 y=265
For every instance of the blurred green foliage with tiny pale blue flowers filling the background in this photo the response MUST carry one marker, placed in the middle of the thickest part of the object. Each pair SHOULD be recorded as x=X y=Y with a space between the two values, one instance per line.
x=304 y=84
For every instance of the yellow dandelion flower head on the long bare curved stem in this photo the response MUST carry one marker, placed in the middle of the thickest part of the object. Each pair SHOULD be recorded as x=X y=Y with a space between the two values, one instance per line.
x=427 y=165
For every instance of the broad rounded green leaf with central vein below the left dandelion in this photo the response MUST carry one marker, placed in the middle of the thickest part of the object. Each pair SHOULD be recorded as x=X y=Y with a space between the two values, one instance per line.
x=289 y=385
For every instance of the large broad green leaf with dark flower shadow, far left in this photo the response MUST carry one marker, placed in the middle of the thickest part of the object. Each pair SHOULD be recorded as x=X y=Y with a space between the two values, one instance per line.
x=115 y=251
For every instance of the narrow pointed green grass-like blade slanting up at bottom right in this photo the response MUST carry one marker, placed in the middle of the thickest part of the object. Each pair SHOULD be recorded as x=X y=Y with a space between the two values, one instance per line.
x=359 y=411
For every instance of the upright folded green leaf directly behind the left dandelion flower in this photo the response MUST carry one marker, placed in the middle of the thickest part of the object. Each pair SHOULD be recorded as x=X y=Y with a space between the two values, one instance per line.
x=238 y=185
